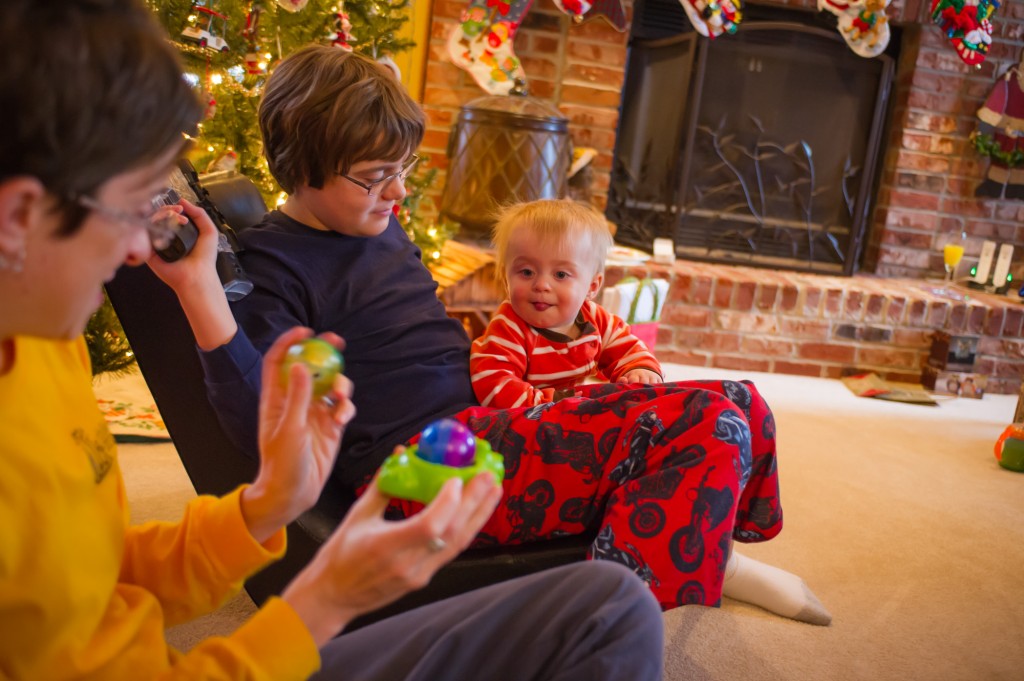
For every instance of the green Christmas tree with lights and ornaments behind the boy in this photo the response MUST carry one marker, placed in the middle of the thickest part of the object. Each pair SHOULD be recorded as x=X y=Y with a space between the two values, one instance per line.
x=228 y=49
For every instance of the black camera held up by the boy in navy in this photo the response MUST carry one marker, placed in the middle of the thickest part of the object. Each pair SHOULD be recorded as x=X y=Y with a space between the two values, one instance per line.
x=186 y=184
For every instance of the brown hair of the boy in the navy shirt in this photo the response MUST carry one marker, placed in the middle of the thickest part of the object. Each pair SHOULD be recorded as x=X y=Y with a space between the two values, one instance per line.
x=325 y=110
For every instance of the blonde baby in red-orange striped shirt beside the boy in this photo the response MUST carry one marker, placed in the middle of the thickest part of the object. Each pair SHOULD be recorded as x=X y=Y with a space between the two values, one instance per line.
x=550 y=335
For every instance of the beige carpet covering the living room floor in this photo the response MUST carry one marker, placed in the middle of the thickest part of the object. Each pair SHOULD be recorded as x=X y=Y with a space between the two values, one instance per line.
x=897 y=516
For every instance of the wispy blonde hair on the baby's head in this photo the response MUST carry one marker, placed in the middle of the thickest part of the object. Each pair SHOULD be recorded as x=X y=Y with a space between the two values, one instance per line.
x=561 y=222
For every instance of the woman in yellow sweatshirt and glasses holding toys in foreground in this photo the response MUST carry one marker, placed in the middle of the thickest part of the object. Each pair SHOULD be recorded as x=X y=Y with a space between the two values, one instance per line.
x=94 y=108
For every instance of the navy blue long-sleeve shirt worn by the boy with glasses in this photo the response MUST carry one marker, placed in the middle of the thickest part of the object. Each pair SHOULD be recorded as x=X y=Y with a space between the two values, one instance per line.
x=408 y=360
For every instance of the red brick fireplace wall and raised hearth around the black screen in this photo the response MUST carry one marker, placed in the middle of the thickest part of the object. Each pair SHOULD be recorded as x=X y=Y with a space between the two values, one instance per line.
x=925 y=196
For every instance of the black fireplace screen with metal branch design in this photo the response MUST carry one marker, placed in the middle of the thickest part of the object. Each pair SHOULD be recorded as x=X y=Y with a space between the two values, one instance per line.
x=755 y=149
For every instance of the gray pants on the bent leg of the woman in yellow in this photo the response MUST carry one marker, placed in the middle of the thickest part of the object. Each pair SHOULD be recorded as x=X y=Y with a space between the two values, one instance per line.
x=588 y=621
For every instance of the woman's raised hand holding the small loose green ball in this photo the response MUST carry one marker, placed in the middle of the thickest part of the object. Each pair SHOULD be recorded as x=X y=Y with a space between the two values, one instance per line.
x=300 y=438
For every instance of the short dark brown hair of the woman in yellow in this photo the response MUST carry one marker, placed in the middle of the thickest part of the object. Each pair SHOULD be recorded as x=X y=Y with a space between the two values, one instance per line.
x=89 y=91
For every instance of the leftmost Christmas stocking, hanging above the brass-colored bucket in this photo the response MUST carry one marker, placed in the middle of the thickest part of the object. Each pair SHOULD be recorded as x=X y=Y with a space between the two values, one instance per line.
x=482 y=44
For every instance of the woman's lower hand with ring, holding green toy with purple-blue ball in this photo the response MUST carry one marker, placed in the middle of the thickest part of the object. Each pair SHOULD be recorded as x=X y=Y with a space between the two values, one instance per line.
x=369 y=562
